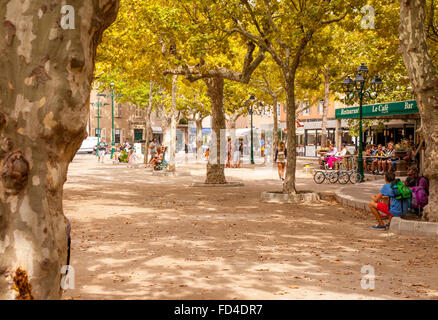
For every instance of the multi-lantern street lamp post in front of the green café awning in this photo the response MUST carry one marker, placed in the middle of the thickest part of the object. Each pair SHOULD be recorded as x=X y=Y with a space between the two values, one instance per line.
x=358 y=86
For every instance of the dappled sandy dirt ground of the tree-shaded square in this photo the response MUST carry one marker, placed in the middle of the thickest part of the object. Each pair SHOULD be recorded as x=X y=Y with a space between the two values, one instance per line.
x=139 y=236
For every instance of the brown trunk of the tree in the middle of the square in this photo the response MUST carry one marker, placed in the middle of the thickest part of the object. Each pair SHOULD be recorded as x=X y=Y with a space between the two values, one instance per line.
x=215 y=91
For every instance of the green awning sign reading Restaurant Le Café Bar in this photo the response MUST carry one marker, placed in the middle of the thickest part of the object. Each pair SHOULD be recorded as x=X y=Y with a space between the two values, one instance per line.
x=379 y=110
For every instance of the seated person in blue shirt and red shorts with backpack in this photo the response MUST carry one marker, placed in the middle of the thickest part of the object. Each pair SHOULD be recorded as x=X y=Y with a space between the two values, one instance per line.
x=389 y=211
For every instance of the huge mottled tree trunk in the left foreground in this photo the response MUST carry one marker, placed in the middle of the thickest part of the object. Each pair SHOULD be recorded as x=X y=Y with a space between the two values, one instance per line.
x=44 y=104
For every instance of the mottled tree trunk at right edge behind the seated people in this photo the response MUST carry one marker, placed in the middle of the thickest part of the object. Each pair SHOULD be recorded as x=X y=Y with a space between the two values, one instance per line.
x=424 y=79
